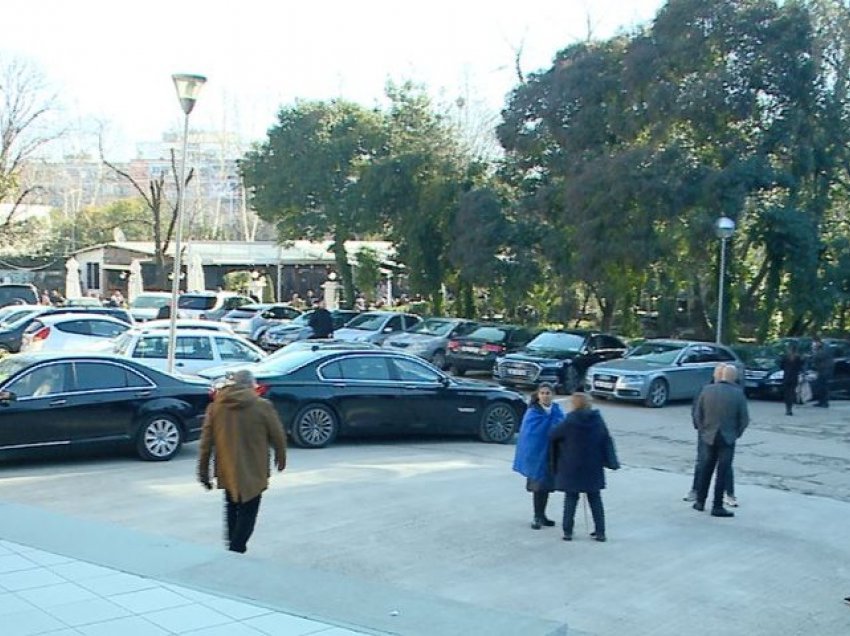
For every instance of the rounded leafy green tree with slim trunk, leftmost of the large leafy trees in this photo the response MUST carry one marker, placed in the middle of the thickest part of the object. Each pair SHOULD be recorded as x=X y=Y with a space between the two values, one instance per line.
x=305 y=178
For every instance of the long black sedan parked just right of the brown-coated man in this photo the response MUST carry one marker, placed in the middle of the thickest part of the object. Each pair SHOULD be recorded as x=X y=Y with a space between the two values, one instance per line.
x=323 y=394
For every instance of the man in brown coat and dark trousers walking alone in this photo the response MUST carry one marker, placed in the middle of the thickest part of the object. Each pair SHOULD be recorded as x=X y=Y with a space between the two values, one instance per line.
x=241 y=427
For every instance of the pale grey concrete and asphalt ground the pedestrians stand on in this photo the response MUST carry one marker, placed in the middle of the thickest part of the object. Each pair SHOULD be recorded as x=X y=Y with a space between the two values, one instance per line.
x=431 y=522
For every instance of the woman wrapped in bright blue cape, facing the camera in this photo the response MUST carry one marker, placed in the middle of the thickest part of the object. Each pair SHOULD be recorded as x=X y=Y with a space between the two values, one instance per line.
x=531 y=458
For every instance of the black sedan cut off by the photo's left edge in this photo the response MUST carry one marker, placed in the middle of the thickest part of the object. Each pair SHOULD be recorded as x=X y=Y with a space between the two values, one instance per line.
x=52 y=400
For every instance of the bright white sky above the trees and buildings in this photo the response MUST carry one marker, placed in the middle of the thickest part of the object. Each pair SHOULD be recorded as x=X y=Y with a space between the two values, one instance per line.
x=111 y=61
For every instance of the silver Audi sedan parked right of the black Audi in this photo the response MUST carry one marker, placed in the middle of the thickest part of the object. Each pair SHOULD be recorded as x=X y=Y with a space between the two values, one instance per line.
x=657 y=371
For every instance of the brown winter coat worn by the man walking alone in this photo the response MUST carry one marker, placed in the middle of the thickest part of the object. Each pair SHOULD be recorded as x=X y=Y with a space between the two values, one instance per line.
x=241 y=427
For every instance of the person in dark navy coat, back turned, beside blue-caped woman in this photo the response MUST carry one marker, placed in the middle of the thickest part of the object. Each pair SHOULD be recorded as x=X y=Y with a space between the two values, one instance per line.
x=581 y=449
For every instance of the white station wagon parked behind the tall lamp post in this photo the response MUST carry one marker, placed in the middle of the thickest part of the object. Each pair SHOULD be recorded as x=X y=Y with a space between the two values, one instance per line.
x=197 y=349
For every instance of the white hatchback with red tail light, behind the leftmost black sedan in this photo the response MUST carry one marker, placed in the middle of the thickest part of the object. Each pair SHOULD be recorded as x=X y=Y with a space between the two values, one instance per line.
x=71 y=332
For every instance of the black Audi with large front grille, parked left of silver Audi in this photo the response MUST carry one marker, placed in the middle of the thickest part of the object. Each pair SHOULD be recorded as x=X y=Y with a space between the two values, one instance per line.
x=558 y=357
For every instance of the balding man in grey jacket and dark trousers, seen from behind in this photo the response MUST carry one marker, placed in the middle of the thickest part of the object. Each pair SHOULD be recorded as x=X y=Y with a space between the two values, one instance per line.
x=720 y=416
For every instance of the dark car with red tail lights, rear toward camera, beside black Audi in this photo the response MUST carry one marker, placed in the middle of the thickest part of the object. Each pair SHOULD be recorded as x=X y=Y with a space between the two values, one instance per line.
x=479 y=349
